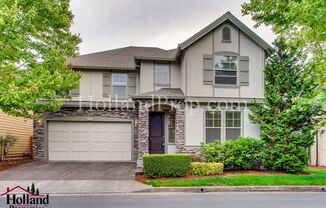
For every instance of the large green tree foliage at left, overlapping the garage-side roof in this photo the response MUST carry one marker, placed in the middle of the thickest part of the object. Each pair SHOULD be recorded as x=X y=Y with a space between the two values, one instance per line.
x=35 y=41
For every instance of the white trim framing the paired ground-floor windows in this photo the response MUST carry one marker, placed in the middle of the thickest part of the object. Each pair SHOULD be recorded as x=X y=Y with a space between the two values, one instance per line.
x=223 y=123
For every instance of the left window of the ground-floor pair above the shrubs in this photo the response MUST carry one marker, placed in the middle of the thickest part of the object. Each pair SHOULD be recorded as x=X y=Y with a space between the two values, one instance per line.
x=213 y=126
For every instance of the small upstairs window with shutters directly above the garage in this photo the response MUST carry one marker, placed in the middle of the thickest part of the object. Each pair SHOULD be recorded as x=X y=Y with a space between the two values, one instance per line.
x=119 y=85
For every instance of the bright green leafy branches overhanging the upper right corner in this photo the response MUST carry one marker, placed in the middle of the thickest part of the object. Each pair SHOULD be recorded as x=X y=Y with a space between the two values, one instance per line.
x=302 y=23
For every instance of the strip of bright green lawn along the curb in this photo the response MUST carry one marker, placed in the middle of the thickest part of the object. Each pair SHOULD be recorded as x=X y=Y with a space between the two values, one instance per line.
x=315 y=177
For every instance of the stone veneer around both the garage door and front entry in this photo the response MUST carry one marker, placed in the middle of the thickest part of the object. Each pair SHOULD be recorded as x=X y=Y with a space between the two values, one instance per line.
x=141 y=133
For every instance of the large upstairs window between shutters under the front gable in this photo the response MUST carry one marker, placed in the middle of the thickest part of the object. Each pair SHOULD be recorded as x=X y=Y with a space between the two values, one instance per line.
x=226 y=70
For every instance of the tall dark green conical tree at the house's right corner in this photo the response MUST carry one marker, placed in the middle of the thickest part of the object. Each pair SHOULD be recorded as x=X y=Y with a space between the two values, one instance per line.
x=287 y=123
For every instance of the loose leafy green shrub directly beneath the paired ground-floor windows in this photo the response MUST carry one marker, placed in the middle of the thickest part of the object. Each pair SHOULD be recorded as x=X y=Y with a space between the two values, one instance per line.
x=243 y=153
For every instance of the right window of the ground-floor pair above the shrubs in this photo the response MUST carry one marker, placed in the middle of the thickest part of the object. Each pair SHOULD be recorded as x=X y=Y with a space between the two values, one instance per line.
x=232 y=125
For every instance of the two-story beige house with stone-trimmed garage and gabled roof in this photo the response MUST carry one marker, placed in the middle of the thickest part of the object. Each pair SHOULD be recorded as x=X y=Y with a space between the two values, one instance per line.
x=107 y=118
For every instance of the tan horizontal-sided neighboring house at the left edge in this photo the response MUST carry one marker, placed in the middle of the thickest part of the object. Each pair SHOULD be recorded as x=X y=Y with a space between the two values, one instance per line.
x=20 y=128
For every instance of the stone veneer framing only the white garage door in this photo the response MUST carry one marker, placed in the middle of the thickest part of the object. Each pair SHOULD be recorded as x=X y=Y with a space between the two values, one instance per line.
x=39 y=133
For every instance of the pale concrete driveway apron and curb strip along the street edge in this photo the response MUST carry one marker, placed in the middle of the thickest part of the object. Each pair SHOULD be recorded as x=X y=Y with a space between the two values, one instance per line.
x=130 y=186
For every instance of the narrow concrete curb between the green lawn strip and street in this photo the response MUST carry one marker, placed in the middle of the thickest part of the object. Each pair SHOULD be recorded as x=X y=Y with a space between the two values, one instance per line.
x=239 y=189
